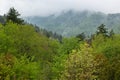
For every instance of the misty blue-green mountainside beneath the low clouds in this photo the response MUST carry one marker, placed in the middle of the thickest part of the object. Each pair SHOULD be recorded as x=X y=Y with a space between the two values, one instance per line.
x=71 y=23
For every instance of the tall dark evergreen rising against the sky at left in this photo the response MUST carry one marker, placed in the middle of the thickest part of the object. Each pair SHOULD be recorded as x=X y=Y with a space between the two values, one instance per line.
x=13 y=16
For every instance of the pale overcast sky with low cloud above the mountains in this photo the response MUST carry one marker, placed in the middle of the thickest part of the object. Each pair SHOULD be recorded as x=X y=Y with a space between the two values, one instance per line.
x=46 y=7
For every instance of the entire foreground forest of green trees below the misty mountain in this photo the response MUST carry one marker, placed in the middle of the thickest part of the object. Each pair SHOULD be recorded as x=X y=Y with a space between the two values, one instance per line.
x=30 y=53
